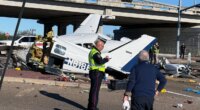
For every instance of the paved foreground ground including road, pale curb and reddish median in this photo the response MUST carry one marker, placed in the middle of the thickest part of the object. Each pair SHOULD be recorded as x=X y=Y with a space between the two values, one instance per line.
x=28 y=90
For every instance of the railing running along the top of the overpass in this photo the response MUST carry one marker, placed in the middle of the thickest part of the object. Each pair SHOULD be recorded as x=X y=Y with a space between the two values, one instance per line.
x=146 y=5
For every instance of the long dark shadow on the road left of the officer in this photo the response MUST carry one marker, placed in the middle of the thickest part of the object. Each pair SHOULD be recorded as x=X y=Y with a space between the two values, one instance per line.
x=60 y=98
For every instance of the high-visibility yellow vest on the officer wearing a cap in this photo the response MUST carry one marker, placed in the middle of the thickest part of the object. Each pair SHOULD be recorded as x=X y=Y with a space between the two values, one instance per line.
x=93 y=64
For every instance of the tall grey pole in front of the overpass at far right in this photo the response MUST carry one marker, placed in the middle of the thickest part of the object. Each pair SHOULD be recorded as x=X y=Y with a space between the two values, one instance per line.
x=178 y=30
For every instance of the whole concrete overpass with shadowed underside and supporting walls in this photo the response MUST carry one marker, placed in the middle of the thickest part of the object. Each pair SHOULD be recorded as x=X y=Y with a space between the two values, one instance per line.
x=149 y=17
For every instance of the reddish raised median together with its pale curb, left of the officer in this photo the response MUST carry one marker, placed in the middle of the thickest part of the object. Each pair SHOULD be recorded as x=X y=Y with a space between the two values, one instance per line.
x=32 y=77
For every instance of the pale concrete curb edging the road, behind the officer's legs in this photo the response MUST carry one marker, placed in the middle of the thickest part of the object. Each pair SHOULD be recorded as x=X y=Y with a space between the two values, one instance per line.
x=50 y=82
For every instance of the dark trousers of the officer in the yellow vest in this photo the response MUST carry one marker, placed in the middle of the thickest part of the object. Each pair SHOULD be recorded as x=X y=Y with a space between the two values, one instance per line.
x=96 y=79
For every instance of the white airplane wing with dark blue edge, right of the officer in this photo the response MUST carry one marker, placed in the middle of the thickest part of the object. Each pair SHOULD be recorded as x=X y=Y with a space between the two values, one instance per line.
x=125 y=57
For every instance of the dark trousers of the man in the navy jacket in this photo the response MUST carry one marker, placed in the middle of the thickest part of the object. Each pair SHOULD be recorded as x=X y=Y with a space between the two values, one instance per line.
x=142 y=103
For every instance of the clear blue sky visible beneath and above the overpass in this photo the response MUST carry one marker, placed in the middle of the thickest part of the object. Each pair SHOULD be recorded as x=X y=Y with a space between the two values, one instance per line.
x=8 y=24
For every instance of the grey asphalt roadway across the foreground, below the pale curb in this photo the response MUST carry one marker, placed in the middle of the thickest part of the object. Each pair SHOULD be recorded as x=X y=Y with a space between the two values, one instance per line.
x=21 y=96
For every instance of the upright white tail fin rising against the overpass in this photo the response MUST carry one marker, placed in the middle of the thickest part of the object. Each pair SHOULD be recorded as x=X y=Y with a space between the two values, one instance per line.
x=89 y=25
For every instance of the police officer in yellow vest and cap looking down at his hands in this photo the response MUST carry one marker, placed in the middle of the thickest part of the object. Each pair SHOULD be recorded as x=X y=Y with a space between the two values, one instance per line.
x=96 y=73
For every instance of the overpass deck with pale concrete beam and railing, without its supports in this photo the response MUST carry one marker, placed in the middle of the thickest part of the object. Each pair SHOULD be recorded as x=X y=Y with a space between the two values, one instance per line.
x=145 y=13
